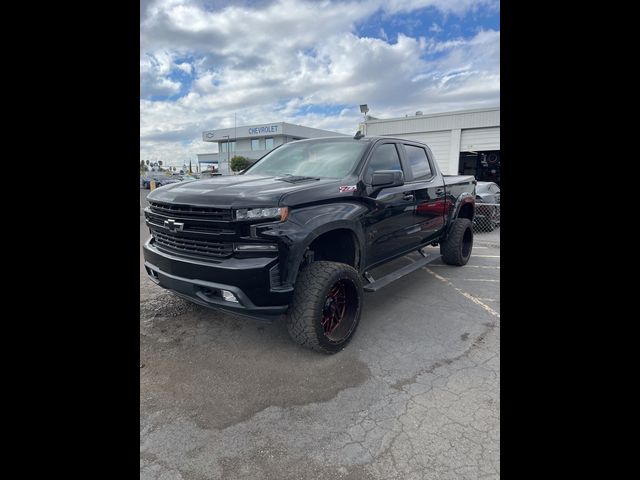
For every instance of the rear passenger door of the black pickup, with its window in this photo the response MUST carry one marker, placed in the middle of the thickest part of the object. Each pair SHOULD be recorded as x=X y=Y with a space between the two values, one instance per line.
x=429 y=190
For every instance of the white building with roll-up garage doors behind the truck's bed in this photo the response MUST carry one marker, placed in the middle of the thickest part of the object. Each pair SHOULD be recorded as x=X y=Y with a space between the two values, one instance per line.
x=465 y=142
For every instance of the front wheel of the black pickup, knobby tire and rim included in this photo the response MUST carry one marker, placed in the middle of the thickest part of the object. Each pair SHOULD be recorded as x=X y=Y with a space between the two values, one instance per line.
x=326 y=306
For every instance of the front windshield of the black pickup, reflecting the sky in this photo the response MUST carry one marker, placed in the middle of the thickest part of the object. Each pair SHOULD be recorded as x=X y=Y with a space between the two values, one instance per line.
x=324 y=159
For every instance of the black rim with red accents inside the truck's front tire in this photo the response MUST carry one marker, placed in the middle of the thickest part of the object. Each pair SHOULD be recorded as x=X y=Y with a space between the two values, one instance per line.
x=339 y=311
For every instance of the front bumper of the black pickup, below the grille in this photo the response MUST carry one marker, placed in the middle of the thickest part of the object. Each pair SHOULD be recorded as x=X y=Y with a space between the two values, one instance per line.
x=203 y=281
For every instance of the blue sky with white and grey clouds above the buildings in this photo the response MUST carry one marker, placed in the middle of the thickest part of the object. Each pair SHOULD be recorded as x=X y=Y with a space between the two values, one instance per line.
x=309 y=63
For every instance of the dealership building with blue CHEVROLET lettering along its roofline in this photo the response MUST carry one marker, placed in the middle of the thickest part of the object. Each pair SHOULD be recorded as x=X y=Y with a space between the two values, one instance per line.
x=253 y=141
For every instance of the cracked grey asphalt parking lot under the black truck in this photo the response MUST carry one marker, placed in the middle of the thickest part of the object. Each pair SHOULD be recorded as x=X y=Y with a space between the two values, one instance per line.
x=416 y=395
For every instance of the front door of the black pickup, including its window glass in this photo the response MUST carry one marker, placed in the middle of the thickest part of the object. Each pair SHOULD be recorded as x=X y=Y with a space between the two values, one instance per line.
x=390 y=224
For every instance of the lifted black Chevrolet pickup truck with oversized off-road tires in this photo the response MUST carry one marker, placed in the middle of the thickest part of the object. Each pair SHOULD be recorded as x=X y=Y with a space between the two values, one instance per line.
x=302 y=231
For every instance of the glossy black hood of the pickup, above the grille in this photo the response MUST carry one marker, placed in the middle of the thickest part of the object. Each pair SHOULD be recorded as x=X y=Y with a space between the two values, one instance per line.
x=236 y=191
